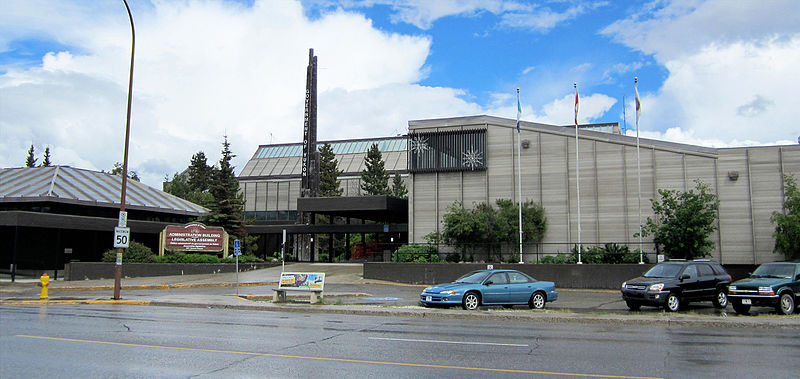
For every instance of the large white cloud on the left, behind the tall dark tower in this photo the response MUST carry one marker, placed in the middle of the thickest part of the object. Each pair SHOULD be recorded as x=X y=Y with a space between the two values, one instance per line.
x=202 y=70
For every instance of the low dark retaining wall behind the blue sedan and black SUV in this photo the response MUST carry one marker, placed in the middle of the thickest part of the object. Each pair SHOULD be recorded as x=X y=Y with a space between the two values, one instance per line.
x=565 y=276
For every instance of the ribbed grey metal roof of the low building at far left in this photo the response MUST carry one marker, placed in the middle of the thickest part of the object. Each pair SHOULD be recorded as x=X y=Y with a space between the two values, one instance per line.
x=78 y=186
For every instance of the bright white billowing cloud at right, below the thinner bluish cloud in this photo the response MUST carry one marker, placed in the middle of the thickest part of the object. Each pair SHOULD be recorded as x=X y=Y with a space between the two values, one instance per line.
x=741 y=91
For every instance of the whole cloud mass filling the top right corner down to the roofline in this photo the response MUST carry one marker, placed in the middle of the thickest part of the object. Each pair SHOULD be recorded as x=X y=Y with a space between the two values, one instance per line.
x=732 y=69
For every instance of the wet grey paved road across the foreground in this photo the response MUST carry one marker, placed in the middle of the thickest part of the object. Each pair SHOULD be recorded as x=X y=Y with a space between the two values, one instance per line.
x=115 y=340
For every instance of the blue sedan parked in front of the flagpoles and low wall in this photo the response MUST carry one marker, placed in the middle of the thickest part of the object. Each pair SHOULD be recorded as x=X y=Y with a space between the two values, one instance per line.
x=491 y=287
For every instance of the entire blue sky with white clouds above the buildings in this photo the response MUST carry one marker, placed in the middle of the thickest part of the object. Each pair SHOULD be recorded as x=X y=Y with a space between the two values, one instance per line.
x=711 y=73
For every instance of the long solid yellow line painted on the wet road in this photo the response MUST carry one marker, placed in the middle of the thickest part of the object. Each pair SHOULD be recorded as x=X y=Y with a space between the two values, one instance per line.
x=486 y=369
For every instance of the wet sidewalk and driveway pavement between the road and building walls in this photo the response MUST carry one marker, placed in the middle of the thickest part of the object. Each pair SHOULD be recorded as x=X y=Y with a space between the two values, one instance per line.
x=347 y=292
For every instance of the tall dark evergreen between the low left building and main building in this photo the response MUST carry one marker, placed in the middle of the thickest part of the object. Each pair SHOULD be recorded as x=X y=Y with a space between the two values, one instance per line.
x=227 y=210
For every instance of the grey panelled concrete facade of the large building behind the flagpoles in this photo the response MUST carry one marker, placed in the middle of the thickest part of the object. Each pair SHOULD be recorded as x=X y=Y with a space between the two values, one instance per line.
x=609 y=185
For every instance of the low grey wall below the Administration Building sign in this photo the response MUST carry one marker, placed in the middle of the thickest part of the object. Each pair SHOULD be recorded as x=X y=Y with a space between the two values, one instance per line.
x=98 y=270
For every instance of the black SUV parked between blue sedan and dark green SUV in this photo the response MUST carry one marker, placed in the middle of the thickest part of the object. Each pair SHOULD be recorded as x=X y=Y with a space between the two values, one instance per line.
x=675 y=283
